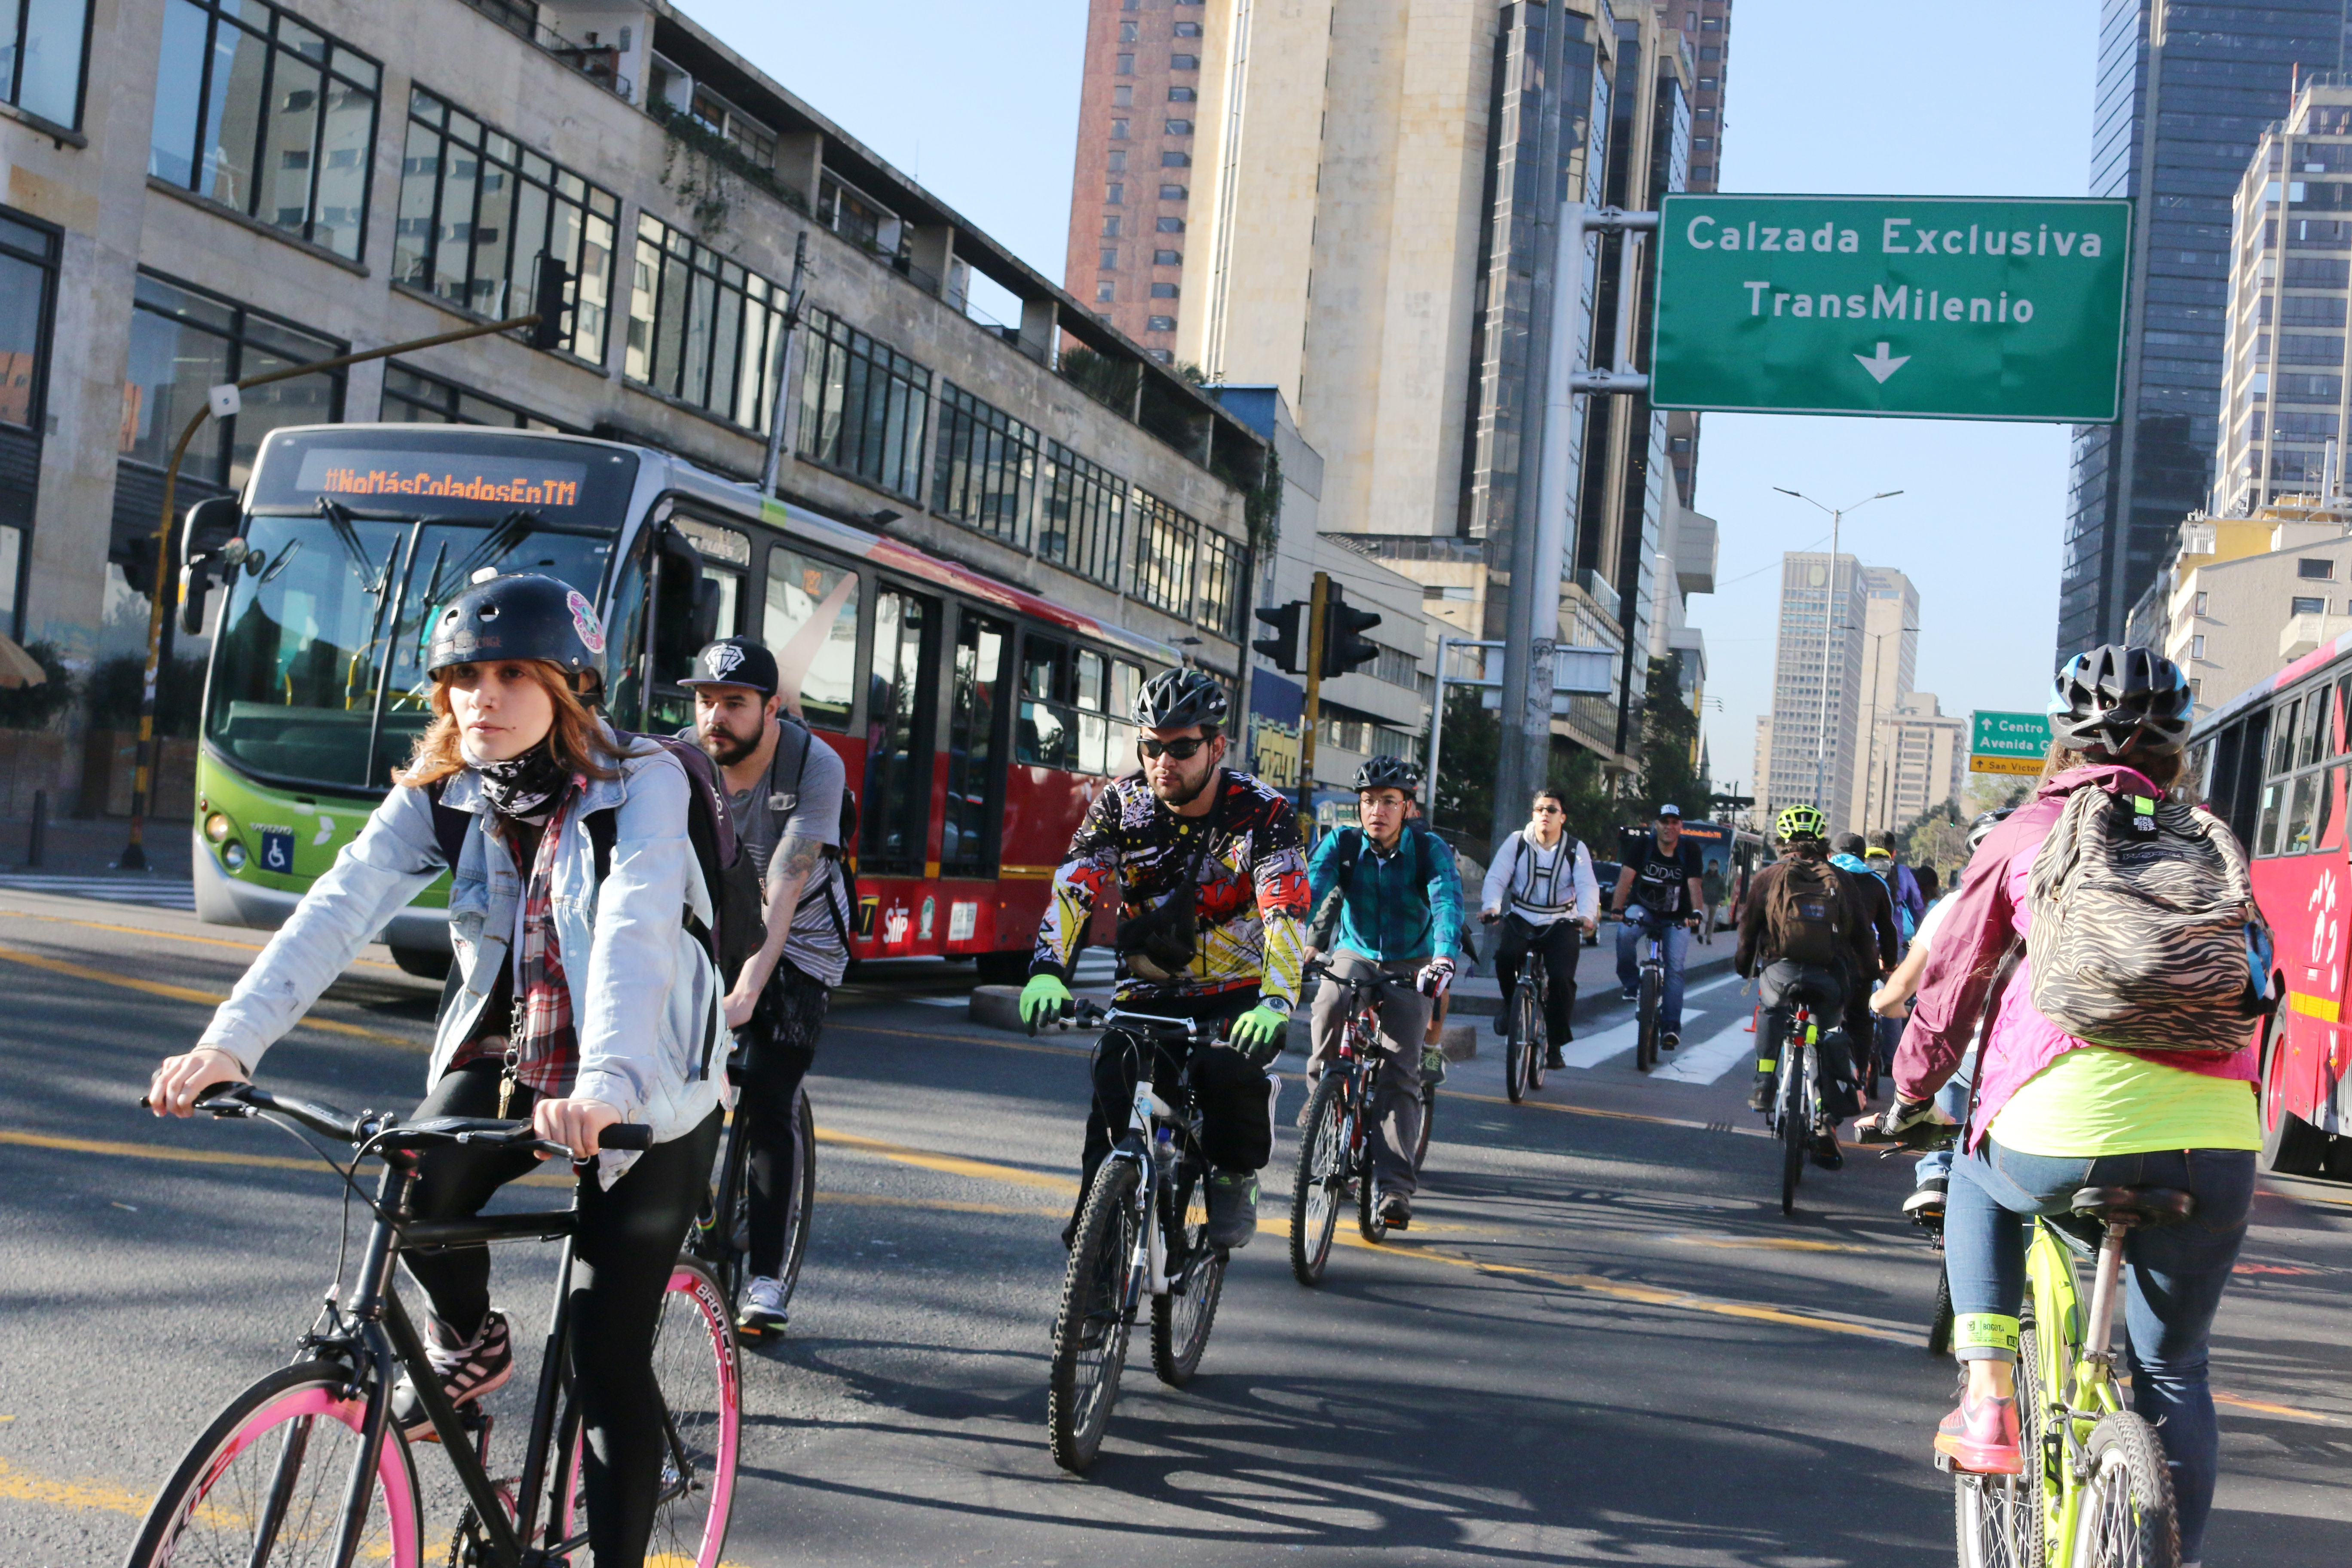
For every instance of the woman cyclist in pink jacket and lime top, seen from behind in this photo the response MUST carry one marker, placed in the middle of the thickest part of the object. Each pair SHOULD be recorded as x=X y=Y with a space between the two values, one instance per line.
x=2057 y=1113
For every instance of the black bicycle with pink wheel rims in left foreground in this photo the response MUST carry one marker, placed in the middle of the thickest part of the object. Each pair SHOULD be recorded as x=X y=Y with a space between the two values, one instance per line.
x=307 y=1463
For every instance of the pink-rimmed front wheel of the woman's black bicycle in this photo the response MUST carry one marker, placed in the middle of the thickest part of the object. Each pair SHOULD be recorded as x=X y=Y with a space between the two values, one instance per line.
x=218 y=1489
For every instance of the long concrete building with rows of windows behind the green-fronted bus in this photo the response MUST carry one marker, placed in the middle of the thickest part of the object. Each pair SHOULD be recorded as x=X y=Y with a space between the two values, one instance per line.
x=399 y=177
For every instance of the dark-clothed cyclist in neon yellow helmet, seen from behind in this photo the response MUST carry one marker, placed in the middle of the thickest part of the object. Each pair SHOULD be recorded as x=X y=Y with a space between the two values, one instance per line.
x=1798 y=944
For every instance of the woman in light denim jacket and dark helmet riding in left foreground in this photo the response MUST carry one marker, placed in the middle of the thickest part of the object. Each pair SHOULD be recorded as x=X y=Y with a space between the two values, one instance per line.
x=573 y=1005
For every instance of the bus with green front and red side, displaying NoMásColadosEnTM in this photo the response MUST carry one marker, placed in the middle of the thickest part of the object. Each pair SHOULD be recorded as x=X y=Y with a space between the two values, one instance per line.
x=977 y=721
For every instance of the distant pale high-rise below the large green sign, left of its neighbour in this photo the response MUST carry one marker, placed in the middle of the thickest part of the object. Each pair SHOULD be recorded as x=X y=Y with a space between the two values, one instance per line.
x=1817 y=688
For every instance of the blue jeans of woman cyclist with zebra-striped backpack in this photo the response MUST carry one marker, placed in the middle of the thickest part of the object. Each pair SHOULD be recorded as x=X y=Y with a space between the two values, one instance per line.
x=2174 y=1278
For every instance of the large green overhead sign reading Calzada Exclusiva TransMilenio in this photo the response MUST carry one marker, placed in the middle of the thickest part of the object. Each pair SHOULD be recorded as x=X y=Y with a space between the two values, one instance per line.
x=1916 y=307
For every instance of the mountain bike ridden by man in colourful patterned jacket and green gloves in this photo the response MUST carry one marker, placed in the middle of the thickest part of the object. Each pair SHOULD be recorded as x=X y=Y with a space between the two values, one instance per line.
x=1142 y=1233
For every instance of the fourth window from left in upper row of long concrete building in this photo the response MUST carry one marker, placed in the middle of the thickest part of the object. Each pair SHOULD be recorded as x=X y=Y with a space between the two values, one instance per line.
x=702 y=328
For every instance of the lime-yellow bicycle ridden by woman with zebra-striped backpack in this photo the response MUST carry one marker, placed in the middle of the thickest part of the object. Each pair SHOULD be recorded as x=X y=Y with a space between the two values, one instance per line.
x=2094 y=1492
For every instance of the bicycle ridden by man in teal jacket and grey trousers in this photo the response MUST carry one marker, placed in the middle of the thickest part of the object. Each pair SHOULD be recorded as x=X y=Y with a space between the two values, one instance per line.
x=1335 y=1146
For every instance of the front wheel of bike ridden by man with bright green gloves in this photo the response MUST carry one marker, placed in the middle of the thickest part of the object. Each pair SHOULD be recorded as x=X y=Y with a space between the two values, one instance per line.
x=1081 y=1388
